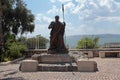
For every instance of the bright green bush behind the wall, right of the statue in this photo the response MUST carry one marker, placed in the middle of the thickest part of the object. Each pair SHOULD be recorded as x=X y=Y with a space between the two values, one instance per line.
x=88 y=43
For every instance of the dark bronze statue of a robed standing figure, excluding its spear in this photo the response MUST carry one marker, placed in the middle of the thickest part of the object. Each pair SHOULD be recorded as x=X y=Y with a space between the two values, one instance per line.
x=56 y=37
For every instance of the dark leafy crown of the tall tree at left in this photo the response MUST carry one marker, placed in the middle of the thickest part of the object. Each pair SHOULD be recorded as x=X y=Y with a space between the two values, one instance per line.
x=16 y=17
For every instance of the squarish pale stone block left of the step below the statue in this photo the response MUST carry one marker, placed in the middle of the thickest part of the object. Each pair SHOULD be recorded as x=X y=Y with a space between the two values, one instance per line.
x=29 y=65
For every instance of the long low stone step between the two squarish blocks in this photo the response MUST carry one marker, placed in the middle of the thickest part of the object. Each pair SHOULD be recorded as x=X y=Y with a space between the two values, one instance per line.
x=58 y=67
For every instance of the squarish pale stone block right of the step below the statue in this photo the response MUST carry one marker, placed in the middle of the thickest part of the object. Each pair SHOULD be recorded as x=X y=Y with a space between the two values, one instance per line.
x=86 y=66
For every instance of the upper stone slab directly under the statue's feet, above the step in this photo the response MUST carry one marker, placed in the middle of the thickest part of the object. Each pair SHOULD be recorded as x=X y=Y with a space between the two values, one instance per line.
x=52 y=58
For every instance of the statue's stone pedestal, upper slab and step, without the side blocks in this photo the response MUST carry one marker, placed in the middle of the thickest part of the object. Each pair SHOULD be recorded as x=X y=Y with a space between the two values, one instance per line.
x=55 y=62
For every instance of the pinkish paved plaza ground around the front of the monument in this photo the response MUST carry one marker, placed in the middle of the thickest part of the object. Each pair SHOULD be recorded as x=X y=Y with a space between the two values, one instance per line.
x=108 y=69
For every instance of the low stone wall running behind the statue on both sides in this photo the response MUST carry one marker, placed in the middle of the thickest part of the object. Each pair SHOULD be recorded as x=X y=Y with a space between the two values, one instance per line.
x=90 y=52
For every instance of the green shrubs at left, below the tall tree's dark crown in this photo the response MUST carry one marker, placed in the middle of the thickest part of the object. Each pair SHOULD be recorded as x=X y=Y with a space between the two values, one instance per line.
x=12 y=48
